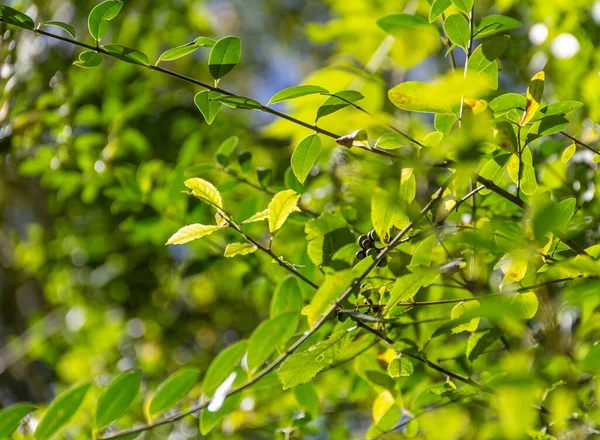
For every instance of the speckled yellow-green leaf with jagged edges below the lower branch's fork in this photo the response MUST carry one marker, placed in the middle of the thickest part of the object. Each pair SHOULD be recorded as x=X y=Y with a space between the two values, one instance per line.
x=302 y=367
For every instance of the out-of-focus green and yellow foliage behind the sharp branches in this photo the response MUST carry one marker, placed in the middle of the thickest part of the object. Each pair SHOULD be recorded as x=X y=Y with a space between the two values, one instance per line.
x=92 y=164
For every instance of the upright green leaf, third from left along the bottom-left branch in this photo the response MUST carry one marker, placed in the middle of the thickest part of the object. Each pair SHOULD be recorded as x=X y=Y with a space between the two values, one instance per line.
x=117 y=397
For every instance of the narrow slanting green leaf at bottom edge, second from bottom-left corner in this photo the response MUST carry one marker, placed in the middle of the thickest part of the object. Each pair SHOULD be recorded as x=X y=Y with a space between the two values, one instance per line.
x=60 y=411
